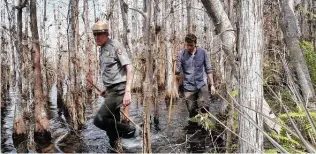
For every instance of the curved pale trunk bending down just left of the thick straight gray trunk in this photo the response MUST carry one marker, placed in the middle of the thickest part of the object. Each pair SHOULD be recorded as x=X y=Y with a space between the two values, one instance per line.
x=228 y=73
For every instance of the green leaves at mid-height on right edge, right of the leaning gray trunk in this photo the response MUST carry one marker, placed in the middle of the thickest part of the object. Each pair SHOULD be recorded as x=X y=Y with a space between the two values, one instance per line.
x=310 y=58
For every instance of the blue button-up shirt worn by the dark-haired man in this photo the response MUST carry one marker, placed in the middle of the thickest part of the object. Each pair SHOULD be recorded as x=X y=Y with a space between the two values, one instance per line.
x=193 y=66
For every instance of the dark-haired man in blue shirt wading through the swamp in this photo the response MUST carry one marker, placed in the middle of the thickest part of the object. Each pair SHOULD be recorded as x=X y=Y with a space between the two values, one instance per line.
x=194 y=63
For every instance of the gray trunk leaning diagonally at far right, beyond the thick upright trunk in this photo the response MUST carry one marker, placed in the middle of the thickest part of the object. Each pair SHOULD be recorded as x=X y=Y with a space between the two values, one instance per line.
x=291 y=36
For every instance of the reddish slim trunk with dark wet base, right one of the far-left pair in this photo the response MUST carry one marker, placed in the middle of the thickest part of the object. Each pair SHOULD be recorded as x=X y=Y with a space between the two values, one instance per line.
x=41 y=122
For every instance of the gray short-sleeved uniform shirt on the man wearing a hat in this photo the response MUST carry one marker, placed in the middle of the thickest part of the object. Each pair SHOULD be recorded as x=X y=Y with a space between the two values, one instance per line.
x=113 y=58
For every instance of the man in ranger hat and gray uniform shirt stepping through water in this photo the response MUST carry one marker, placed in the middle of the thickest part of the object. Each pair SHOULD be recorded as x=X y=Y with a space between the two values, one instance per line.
x=117 y=76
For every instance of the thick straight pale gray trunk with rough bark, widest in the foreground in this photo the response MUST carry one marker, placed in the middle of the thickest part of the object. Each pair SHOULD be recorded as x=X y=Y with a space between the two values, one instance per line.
x=250 y=45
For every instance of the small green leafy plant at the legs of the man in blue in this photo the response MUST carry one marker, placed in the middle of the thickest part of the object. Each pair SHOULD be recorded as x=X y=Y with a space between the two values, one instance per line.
x=204 y=119
